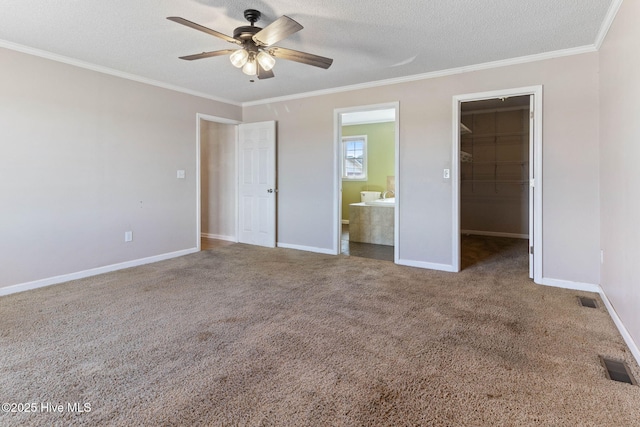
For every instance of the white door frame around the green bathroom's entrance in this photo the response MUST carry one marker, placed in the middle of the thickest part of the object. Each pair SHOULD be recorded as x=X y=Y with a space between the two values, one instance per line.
x=337 y=150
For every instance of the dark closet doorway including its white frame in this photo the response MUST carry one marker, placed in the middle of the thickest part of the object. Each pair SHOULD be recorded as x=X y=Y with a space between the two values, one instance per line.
x=497 y=173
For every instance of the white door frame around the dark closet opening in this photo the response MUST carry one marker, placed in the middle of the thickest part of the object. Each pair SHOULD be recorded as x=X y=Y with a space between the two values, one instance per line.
x=535 y=185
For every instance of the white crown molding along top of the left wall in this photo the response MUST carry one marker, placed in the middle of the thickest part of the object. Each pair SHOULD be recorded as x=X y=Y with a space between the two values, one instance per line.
x=105 y=70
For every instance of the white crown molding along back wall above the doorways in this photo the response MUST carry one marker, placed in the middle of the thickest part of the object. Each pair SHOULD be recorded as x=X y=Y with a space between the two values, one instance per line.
x=430 y=75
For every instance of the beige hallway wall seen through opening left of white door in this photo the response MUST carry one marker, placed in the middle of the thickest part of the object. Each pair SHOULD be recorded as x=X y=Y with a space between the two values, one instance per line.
x=218 y=179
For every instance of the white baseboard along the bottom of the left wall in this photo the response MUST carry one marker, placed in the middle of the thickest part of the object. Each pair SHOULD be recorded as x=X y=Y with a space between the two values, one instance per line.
x=91 y=272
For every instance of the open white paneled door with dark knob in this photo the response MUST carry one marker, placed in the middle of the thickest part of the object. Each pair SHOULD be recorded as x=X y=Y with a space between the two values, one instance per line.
x=257 y=179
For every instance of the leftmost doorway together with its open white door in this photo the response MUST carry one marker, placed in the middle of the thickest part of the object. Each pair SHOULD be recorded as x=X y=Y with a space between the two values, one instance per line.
x=236 y=181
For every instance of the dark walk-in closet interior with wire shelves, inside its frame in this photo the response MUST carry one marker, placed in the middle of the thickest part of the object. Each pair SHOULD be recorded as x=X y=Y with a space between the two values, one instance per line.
x=495 y=165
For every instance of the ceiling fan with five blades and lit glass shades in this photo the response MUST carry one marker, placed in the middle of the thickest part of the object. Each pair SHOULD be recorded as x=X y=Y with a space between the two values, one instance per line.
x=256 y=56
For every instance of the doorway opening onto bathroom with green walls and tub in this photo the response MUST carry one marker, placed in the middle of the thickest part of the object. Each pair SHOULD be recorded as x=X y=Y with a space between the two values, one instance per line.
x=367 y=141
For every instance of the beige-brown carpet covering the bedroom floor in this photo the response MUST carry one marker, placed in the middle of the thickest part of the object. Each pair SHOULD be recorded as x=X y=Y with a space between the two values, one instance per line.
x=243 y=335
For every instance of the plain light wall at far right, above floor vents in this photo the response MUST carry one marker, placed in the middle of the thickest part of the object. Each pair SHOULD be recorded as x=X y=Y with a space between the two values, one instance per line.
x=620 y=173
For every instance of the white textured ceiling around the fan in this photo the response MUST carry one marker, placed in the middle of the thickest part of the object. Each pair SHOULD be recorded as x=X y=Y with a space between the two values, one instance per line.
x=369 y=40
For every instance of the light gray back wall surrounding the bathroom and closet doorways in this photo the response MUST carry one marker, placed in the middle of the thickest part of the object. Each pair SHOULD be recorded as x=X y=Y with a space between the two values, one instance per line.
x=570 y=154
